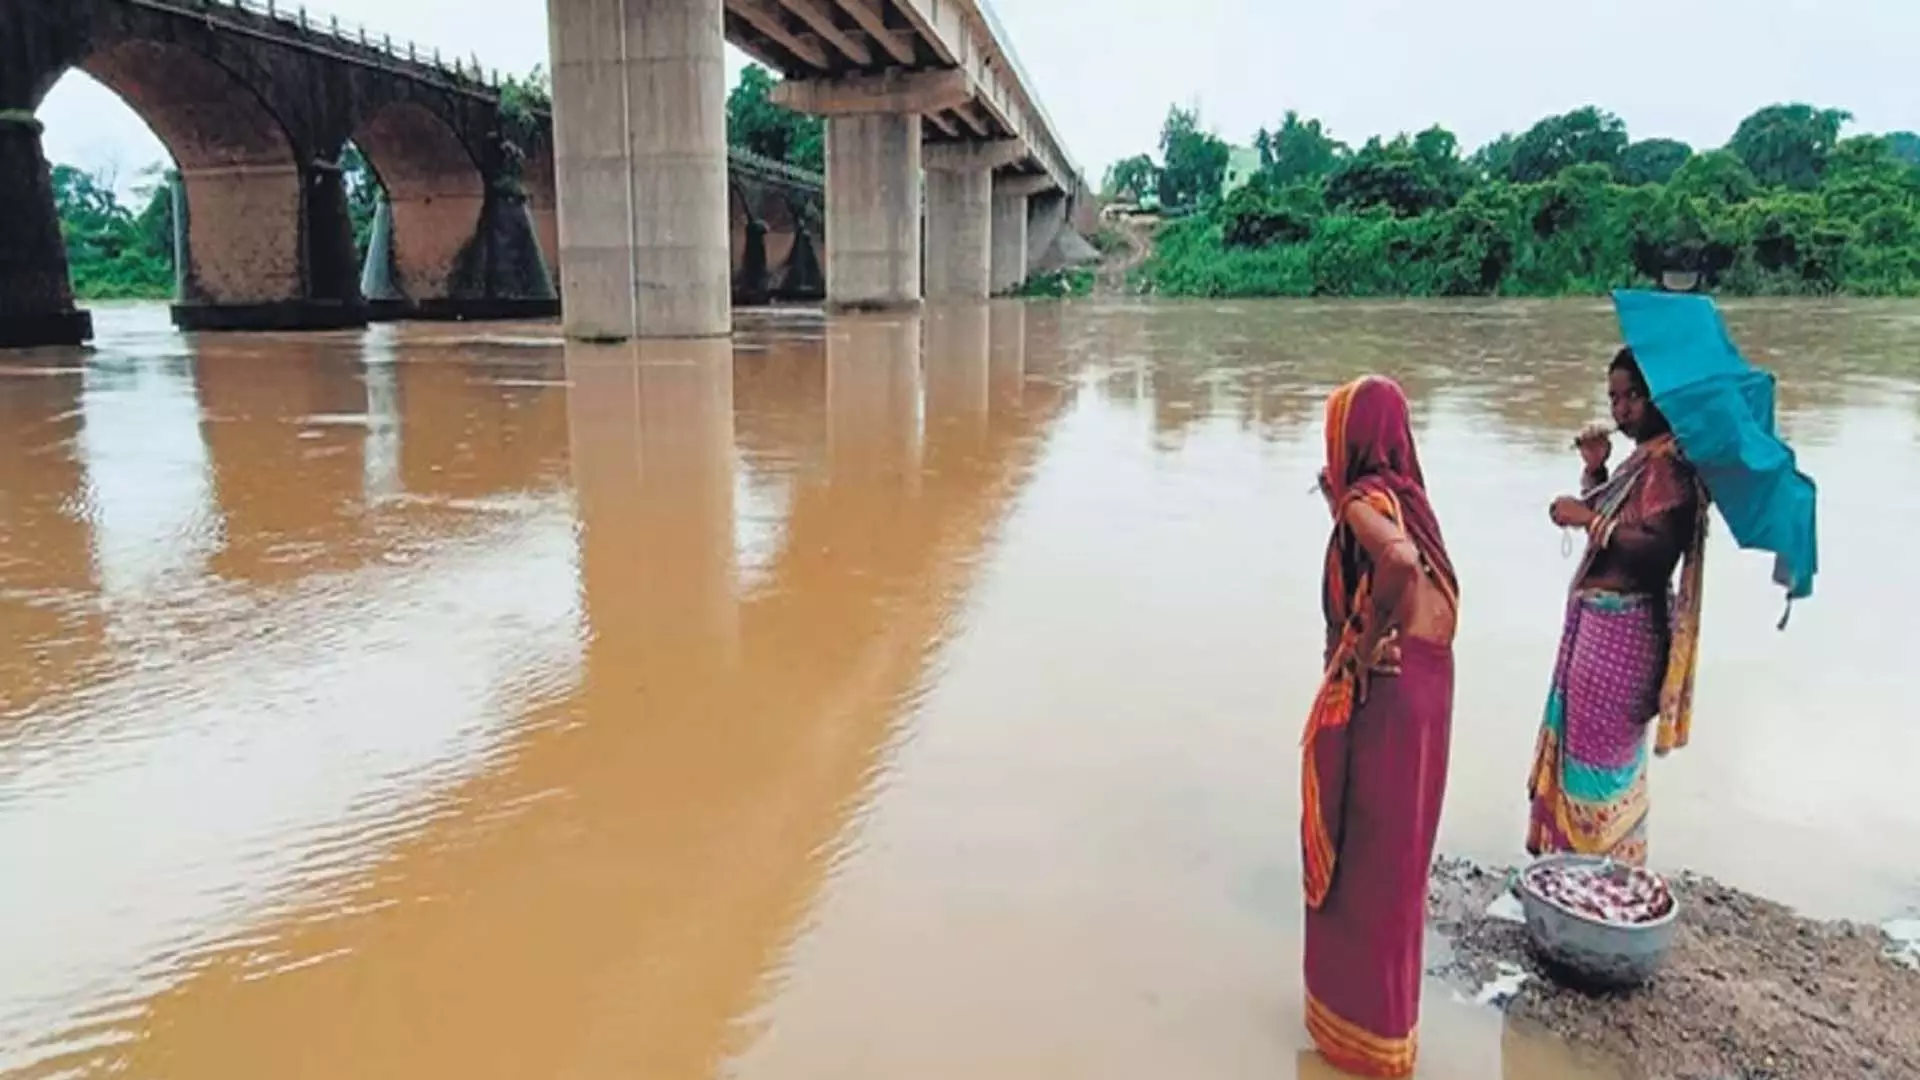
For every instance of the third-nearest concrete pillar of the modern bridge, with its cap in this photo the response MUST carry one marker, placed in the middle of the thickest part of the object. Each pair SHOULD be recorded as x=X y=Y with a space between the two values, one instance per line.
x=961 y=216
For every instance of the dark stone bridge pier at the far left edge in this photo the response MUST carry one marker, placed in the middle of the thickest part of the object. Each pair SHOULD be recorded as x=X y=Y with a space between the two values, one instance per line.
x=36 y=295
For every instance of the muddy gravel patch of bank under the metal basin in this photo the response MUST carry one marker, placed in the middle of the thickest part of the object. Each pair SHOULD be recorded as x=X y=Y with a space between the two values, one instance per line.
x=1752 y=991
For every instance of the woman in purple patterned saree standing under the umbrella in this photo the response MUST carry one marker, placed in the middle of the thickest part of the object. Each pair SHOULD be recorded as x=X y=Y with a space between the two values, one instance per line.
x=1627 y=649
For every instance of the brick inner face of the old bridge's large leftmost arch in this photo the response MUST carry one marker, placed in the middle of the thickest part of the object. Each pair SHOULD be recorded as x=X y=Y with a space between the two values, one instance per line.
x=237 y=160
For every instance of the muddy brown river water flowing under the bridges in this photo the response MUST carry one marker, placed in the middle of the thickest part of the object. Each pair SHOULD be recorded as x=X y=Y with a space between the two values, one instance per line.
x=865 y=699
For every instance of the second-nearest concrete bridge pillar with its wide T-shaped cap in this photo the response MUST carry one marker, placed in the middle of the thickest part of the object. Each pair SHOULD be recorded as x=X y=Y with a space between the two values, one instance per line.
x=875 y=162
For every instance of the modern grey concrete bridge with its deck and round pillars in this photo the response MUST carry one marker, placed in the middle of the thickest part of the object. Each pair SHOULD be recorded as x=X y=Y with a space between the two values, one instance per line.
x=923 y=99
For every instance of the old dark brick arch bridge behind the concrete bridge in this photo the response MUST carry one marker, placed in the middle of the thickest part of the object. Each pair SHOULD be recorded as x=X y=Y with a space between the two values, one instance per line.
x=256 y=110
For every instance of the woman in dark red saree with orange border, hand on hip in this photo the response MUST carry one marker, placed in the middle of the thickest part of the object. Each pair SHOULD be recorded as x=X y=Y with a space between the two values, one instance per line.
x=1376 y=749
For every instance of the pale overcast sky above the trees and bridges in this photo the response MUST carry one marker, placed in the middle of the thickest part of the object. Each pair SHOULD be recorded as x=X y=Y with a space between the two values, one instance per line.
x=1107 y=70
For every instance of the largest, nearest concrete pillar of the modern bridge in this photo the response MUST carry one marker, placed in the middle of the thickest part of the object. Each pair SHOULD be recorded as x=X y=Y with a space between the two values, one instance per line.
x=640 y=160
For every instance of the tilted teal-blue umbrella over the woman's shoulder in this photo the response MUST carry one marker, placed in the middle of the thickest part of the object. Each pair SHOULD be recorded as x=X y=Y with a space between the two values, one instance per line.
x=1723 y=414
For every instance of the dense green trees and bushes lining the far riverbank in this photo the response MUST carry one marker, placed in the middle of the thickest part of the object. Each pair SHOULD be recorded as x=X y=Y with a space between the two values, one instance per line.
x=1570 y=207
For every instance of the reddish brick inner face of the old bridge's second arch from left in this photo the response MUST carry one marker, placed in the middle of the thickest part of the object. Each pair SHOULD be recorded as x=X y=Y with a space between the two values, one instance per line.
x=437 y=191
